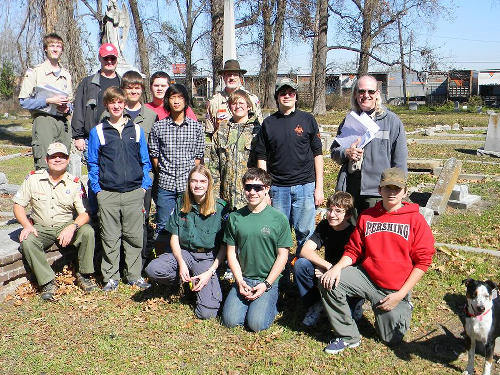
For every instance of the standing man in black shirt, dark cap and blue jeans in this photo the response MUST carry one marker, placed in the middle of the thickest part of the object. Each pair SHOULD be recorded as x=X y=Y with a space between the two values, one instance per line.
x=289 y=148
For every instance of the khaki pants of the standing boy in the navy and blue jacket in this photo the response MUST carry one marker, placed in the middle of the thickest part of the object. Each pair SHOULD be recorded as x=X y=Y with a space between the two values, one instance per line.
x=121 y=219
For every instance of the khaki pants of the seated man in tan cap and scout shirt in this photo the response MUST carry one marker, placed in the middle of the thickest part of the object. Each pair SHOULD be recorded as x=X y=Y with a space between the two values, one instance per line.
x=33 y=249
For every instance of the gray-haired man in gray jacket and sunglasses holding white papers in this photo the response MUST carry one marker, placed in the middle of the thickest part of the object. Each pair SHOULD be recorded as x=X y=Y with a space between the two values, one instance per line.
x=362 y=167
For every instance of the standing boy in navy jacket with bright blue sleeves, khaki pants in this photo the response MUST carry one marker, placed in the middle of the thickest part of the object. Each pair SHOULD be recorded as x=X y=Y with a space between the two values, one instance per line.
x=119 y=168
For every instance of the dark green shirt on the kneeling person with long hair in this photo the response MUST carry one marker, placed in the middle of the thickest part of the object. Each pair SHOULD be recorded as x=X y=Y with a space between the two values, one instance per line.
x=195 y=230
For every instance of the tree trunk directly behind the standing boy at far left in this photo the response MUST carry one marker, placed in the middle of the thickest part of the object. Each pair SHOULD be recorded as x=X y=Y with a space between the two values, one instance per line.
x=58 y=17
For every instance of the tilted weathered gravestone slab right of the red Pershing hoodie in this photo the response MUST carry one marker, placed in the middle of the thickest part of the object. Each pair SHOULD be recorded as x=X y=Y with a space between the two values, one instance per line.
x=444 y=186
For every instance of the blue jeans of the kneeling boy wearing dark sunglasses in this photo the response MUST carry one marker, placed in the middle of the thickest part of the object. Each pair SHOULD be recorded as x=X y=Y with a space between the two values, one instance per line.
x=258 y=314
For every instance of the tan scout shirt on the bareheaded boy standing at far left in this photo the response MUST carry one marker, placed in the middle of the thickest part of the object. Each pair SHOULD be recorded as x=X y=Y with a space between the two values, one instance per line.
x=43 y=74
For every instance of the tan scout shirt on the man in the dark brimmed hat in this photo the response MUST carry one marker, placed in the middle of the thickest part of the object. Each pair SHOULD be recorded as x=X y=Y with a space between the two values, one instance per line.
x=218 y=110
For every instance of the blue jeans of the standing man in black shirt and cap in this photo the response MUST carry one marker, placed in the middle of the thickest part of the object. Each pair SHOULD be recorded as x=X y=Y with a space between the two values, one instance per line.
x=297 y=204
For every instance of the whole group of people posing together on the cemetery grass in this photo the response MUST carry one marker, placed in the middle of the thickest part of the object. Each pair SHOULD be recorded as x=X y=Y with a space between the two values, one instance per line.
x=262 y=178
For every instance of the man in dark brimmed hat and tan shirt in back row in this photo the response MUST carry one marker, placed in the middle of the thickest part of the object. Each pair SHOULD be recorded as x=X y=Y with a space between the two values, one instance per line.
x=218 y=107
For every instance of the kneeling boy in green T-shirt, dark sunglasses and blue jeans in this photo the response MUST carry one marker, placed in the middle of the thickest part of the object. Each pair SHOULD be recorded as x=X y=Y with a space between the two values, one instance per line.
x=258 y=239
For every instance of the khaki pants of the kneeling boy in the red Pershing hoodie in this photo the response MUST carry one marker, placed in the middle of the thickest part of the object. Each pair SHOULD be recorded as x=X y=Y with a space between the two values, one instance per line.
x=390 y=325
